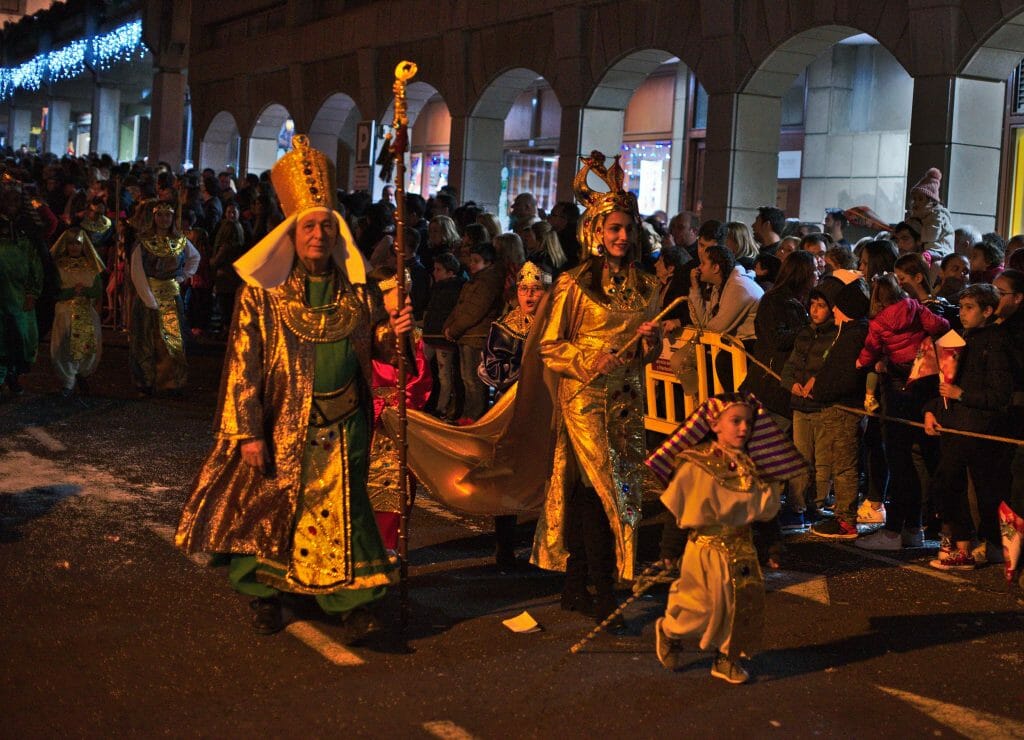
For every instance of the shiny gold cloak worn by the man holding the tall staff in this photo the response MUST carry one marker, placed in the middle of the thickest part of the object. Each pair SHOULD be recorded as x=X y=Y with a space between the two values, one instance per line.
x=266 y=393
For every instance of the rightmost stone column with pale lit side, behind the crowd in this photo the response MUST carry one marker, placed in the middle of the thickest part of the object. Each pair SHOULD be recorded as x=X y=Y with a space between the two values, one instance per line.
x=957 y=126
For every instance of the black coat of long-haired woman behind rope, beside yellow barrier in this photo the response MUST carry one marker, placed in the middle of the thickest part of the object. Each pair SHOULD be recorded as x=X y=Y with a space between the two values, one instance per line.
x=780 y=319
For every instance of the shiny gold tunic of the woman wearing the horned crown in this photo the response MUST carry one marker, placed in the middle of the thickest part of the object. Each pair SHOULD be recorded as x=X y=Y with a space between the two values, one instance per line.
x=601 y=424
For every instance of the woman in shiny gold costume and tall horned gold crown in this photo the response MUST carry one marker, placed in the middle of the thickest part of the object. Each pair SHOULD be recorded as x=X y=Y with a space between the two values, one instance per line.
x=589 y=524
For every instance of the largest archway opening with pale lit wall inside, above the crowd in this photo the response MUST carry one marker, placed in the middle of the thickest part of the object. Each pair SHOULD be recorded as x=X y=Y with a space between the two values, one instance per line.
x=841 y=152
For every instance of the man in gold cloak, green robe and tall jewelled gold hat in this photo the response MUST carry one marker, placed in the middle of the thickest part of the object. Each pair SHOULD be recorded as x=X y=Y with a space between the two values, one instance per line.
x=284 y=491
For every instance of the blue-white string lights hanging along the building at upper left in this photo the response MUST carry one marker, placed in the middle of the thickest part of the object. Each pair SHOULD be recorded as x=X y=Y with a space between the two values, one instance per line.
x=102 y=53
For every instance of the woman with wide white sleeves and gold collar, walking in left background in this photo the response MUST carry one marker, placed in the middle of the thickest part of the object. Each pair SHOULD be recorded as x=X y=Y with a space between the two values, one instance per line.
x=161 y=262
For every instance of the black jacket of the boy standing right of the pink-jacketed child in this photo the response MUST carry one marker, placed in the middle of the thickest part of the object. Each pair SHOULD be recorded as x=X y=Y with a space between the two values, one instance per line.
x=985 y=373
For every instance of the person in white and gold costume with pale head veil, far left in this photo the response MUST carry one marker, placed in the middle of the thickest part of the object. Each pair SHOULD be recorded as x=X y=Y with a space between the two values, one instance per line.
x=76 y=339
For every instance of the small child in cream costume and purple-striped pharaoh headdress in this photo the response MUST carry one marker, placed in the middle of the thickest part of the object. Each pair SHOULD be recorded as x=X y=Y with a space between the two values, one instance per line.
x=726 y=467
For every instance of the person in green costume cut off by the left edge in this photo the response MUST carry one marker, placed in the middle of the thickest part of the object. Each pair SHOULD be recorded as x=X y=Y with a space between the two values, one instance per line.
x=21 y=285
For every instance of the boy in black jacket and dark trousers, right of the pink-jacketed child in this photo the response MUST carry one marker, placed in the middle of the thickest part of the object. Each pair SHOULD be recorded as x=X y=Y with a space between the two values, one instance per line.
x=975 y=402
